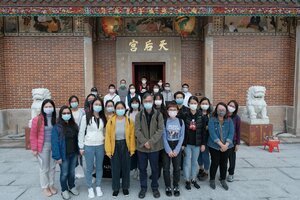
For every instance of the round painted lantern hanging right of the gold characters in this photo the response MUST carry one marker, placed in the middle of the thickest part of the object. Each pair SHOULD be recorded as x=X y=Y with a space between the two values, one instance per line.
x=185 y=25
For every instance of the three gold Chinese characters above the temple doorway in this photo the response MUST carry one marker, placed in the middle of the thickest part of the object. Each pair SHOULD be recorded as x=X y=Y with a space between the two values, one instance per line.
x=148 y=45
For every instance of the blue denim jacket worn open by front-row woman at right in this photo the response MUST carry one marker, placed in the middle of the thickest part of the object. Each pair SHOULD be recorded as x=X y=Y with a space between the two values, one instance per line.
x=214 y=132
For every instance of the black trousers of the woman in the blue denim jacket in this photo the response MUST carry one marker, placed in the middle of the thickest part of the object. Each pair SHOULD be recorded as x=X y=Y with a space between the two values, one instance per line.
x=218 y=159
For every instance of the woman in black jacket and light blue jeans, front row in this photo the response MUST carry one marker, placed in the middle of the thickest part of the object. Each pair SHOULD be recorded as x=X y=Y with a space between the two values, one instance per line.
x=194 y=142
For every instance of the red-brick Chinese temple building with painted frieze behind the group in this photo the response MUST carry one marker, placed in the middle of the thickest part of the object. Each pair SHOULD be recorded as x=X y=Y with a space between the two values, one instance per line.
x=219 y=47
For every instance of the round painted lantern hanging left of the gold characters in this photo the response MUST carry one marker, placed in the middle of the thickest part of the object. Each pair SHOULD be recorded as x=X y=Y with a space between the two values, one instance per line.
x=111 y=26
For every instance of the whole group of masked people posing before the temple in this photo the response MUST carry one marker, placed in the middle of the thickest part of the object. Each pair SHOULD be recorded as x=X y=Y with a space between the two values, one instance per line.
x=133 y=127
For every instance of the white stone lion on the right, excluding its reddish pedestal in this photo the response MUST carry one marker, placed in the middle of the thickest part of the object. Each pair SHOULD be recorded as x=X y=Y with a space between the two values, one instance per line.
x=256 y=105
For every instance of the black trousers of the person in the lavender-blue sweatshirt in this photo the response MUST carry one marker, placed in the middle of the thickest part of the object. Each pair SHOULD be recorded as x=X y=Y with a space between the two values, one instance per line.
x=176 y=167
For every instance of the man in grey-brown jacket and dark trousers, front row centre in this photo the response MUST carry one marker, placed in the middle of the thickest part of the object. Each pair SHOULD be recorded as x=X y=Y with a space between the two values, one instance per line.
x=149 y=125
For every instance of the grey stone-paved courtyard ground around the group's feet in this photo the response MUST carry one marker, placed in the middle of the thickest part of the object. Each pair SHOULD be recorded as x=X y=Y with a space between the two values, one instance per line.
x=259 y=175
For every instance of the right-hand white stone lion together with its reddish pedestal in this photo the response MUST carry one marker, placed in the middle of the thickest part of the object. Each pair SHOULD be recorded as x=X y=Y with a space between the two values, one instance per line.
x=255 y=125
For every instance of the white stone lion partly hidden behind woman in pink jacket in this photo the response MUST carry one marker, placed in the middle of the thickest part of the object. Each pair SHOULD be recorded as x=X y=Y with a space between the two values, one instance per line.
x=38 y=96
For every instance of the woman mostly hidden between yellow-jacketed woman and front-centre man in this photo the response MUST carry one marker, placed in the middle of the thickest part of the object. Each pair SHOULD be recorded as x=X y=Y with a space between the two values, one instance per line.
x=134 y=108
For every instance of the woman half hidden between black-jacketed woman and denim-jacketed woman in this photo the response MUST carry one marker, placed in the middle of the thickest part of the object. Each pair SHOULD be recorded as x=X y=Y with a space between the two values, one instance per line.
x=204 y=158
